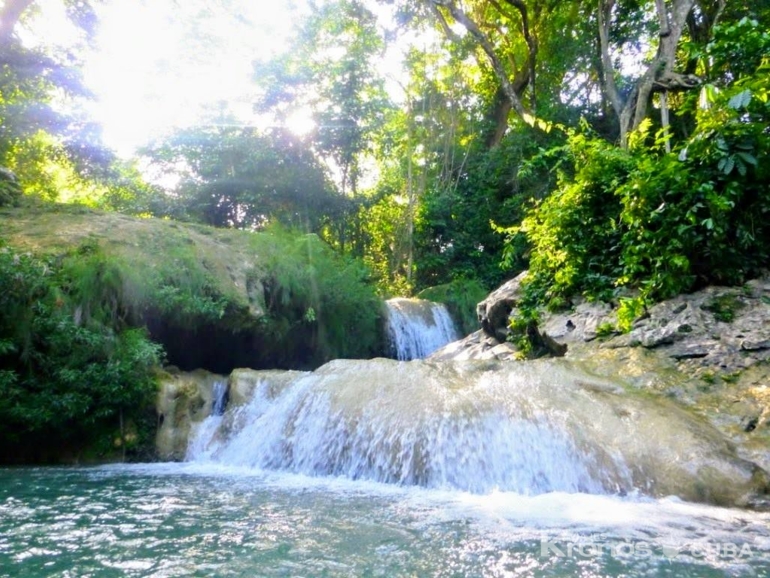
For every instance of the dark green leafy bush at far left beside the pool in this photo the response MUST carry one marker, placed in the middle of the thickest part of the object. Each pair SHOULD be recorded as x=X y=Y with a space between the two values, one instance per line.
x=65 y=381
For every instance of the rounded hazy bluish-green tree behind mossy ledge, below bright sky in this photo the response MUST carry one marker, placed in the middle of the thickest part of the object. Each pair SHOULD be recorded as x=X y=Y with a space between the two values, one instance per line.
x=238 y=177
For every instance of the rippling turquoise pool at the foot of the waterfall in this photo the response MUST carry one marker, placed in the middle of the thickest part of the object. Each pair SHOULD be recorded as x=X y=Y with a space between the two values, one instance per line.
x=205 y=520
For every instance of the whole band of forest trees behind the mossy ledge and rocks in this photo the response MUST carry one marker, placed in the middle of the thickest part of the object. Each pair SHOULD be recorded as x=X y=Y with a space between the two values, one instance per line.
x=563 y=136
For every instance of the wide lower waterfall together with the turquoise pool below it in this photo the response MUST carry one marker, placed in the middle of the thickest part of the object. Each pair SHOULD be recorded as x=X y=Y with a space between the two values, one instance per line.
x=287 y=482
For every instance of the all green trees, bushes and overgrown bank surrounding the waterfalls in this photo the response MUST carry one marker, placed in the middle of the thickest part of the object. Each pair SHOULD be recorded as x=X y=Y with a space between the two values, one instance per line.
x=617 y=149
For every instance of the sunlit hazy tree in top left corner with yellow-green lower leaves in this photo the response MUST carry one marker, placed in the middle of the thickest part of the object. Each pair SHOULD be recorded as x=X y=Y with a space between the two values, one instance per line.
x=47 y=143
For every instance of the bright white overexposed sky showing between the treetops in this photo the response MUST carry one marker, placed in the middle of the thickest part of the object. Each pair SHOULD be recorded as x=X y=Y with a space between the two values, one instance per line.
x=159 y=64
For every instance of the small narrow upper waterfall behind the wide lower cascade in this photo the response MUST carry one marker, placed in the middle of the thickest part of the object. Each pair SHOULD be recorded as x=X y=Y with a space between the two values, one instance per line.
x=416 y=328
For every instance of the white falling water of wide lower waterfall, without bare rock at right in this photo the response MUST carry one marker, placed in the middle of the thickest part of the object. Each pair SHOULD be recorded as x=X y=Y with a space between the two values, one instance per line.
x=443 y=426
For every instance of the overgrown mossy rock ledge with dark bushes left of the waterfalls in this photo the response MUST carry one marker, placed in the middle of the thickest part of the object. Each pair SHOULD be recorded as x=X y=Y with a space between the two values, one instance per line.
x=81 y=318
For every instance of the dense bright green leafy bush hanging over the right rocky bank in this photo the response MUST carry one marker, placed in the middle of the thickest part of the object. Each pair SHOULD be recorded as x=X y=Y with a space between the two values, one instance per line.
x=661 y=223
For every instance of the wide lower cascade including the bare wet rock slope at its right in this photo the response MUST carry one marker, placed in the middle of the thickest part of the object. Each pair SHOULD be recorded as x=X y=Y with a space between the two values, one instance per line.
x=526 y=428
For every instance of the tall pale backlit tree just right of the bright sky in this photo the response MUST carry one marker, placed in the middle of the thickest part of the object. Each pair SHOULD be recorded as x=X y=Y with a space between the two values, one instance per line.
x=333 y=74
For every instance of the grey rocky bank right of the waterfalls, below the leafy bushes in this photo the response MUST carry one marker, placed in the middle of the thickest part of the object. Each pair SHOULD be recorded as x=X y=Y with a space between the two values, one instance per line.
x=708 y=351
